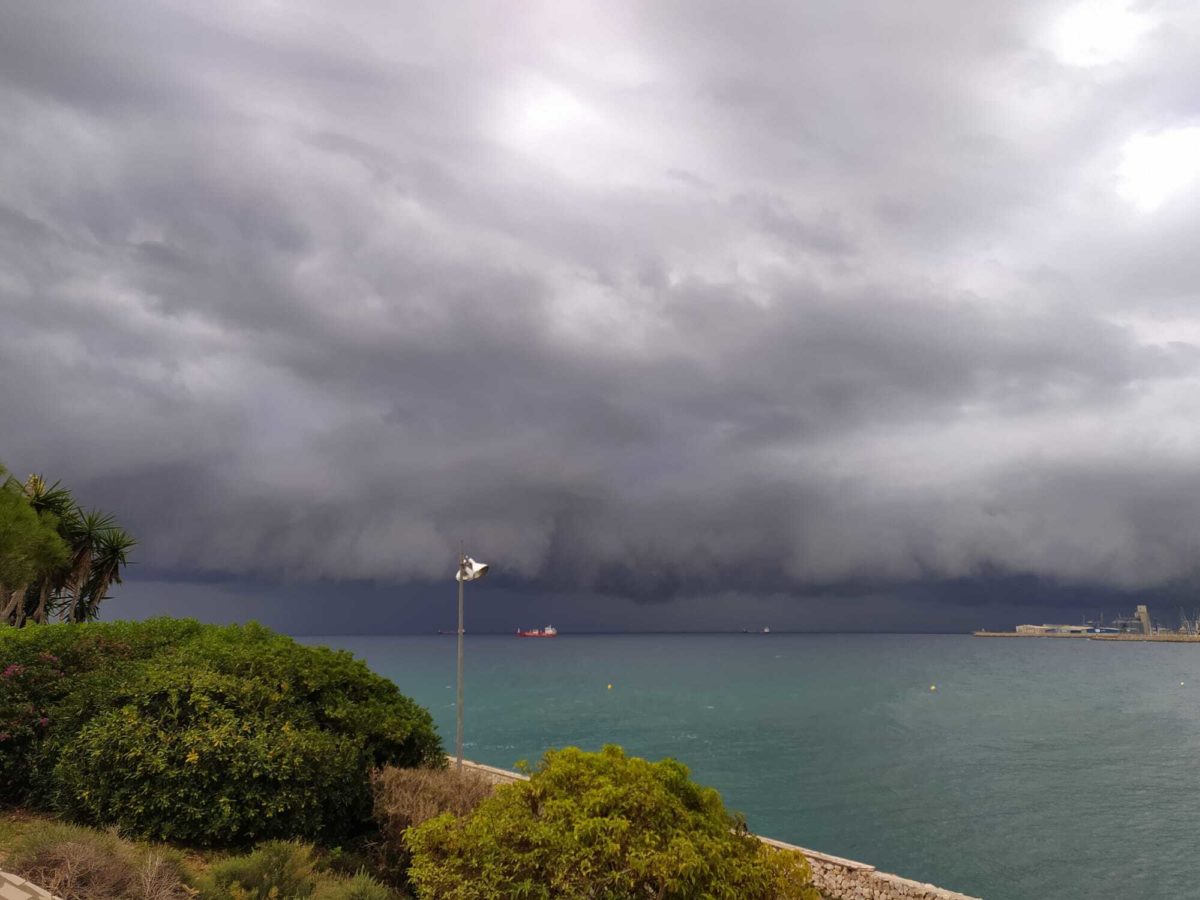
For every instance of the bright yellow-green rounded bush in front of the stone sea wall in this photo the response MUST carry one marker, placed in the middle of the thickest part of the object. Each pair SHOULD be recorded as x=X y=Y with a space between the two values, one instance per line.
x=602 y=826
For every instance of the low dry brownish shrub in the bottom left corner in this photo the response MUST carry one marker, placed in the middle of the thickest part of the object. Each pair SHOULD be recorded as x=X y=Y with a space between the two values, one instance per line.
x=82 y=865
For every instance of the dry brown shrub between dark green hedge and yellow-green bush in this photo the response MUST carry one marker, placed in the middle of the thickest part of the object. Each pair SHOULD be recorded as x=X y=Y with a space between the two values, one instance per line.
x=409 y=797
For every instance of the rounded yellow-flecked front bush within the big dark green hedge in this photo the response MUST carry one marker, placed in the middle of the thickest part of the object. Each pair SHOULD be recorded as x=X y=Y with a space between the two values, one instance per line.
x=195 y=757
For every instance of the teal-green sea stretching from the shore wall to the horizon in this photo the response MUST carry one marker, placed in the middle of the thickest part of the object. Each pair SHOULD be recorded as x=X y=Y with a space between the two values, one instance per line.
x=1039 y=771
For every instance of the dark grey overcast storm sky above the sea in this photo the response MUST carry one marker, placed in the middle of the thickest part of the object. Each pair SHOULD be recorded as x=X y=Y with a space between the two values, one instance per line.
x=676 y=313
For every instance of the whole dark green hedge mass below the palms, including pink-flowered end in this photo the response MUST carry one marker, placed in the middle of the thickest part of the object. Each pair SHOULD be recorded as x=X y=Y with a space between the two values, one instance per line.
x=197 y=734
